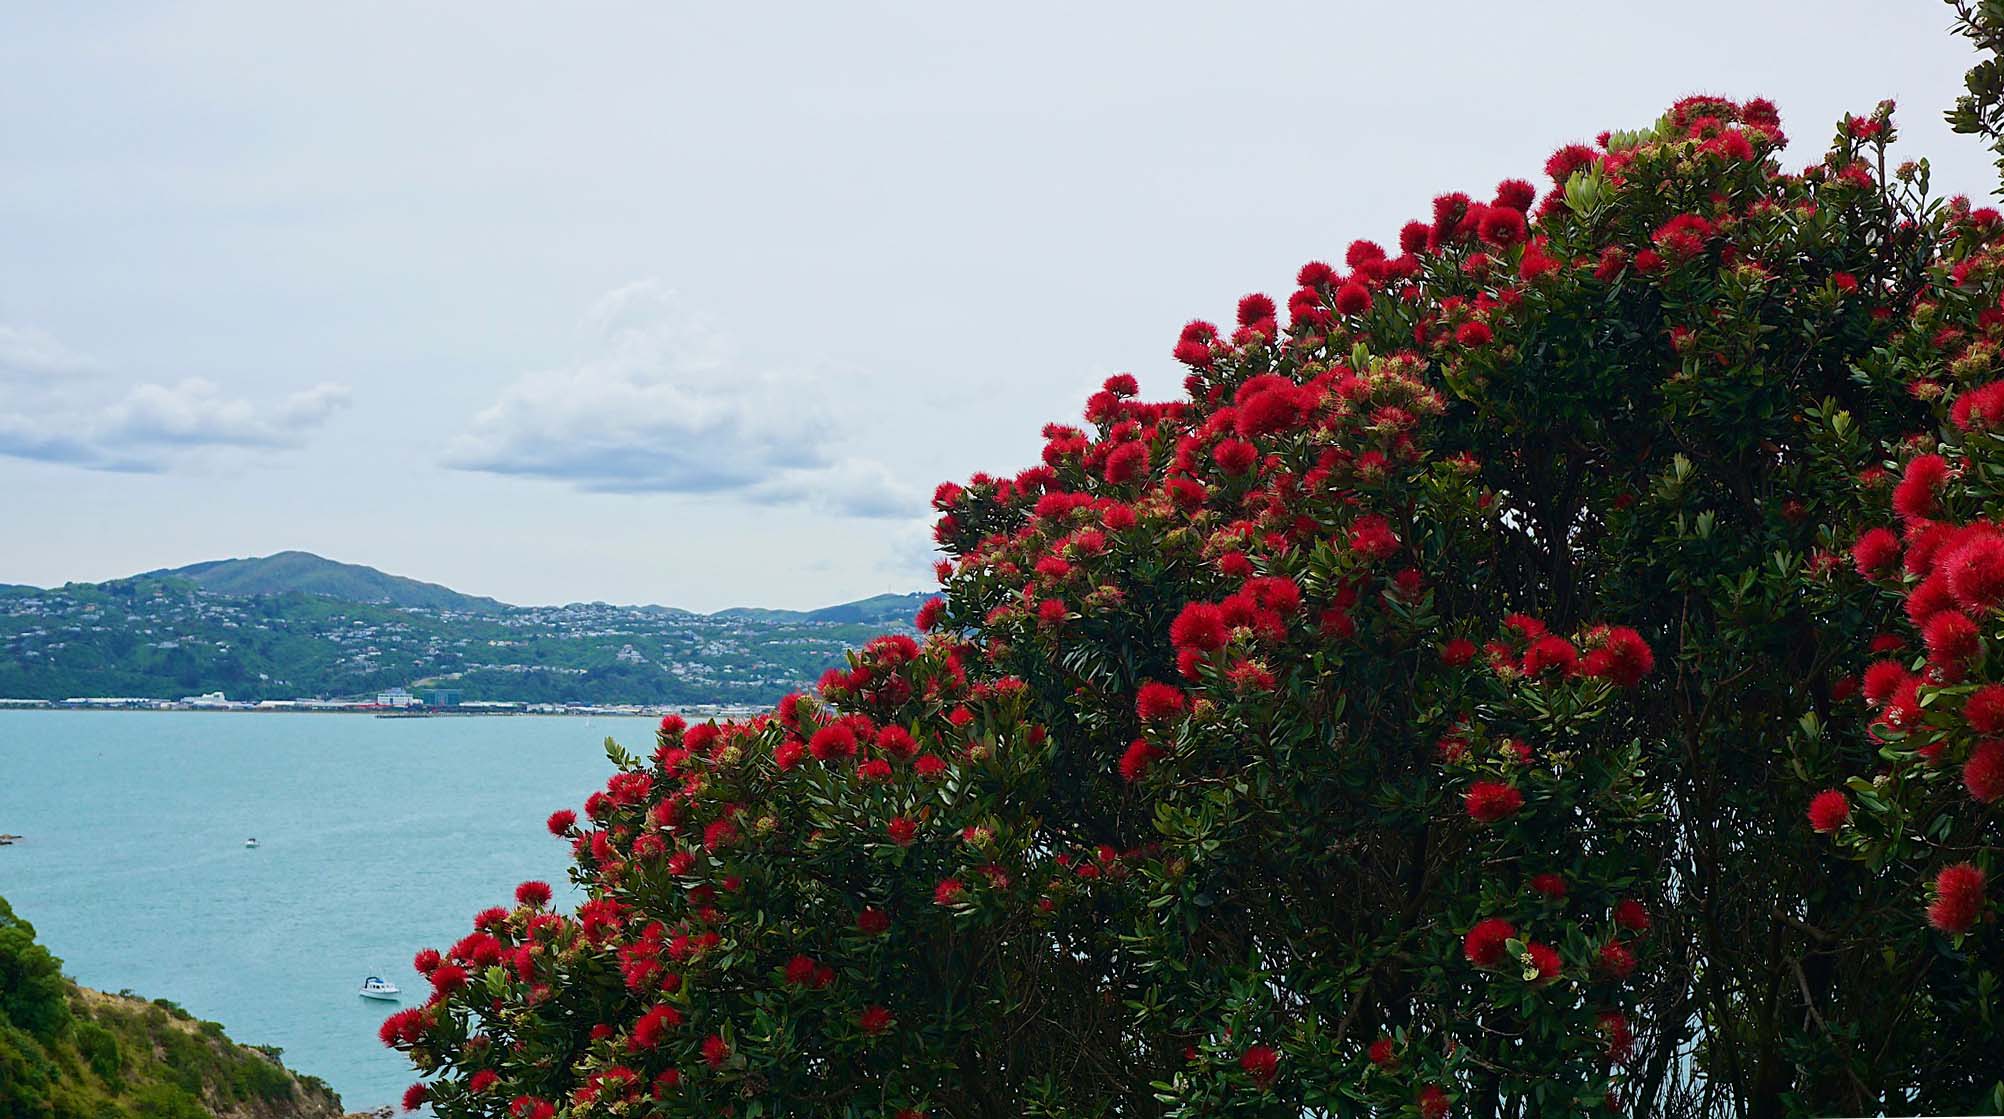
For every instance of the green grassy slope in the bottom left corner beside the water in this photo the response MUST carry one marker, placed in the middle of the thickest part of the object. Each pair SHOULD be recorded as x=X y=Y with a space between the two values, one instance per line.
x=77 y=1054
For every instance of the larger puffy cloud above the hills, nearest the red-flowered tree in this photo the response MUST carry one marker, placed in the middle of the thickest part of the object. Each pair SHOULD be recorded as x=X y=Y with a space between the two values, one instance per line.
x=662 y=406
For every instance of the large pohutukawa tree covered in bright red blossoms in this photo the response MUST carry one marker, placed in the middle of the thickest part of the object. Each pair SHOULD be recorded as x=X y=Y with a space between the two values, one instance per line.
x=1534 y=671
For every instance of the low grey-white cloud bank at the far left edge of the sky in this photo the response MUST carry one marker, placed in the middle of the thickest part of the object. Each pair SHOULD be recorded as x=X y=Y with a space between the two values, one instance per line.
x=147 y=430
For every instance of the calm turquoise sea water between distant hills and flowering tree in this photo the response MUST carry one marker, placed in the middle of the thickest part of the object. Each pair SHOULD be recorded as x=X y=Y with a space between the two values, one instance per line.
x=378 y=837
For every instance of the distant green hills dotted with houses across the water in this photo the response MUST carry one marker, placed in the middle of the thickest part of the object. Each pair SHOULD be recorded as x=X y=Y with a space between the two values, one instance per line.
x=296 y=627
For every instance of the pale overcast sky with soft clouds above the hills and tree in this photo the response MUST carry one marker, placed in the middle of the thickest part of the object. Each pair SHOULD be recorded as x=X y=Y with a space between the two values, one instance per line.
x=694 y=304
